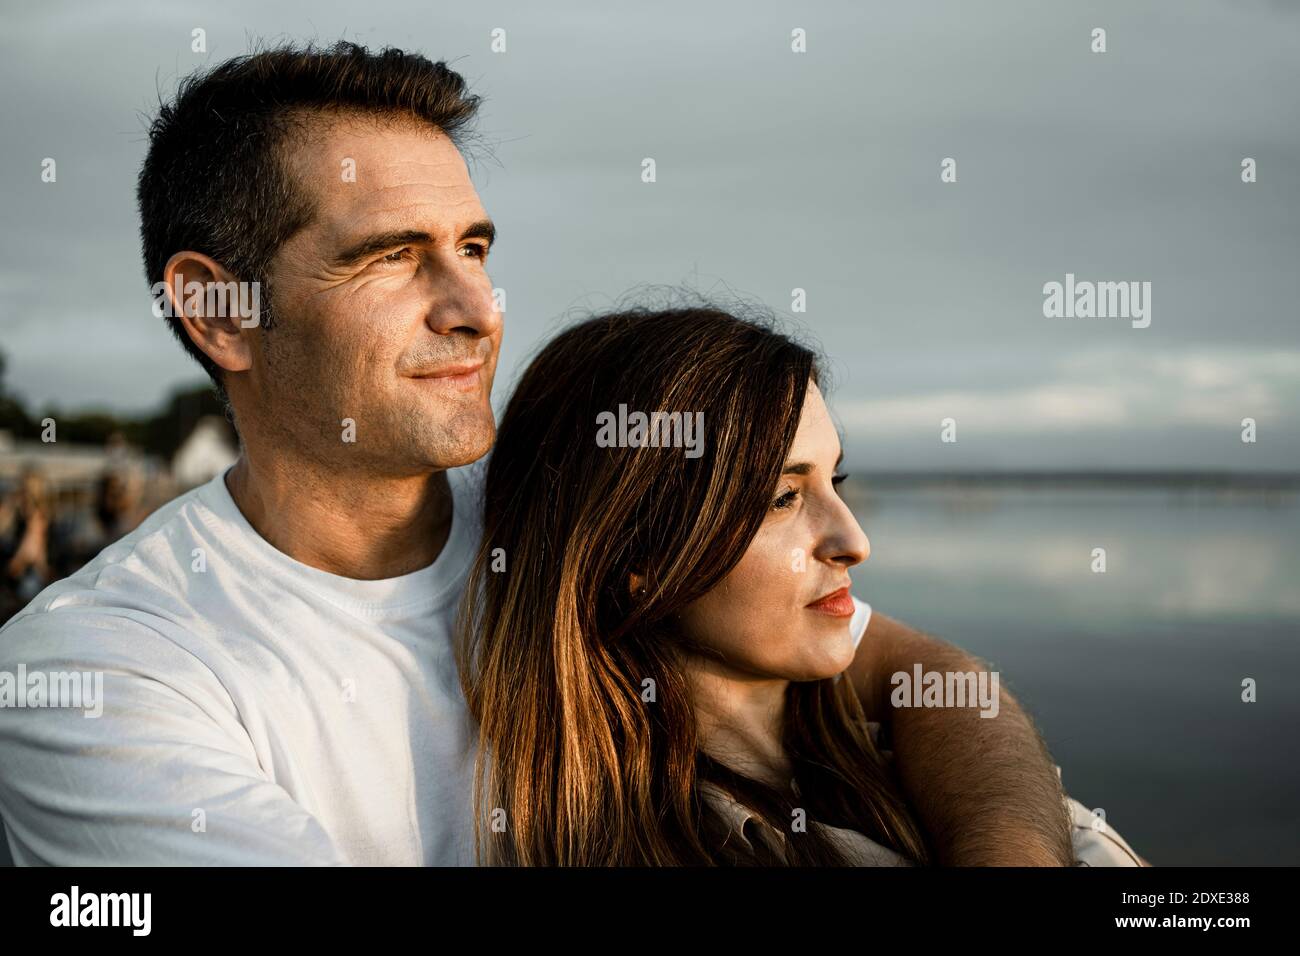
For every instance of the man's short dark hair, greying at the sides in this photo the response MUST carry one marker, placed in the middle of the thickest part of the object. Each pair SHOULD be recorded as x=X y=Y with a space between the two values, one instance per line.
x=215 y=180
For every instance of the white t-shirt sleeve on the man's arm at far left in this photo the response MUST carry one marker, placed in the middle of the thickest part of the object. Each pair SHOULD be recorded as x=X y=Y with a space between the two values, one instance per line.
x=164 y=775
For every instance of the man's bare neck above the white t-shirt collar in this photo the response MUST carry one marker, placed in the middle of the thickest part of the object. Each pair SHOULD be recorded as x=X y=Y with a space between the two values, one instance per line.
x=346 y=524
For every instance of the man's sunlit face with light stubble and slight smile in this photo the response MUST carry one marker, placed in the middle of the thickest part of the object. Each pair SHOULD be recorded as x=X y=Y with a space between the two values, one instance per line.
x=383 y=306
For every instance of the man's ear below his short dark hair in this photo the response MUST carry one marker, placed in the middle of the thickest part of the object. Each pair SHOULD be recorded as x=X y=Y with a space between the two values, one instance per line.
x=216 y=310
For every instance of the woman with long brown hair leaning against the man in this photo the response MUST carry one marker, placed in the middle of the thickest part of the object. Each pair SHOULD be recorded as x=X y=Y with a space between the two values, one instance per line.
x=655 y=626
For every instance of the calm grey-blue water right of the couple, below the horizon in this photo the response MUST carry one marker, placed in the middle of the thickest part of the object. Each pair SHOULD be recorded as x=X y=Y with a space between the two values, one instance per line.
x=1133 y=676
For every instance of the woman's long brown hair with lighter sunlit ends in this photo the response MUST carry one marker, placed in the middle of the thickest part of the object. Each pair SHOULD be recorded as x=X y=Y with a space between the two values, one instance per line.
x=583 y=760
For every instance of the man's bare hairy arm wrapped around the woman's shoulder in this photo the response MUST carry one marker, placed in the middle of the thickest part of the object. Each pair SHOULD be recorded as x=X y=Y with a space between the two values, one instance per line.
x=985 y=789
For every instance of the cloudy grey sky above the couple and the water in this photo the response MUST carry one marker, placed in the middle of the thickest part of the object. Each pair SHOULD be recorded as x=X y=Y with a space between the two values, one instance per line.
x=775 y=171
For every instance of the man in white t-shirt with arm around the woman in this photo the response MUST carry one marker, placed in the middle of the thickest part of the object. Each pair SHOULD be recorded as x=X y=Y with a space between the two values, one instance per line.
x=275 y=647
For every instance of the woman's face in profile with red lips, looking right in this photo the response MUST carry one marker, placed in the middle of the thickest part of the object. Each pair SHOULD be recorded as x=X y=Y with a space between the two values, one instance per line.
x=778 y=615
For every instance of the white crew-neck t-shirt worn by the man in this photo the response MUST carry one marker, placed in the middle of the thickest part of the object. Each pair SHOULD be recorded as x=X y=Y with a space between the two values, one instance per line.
x=254 y=711
